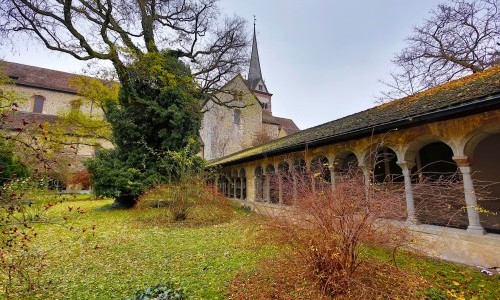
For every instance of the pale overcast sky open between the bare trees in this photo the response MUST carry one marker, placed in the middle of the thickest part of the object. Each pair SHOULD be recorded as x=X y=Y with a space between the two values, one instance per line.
x=321 y=59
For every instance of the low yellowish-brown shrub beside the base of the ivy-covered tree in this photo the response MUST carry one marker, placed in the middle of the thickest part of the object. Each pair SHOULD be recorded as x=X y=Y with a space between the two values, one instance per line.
x=190 y=198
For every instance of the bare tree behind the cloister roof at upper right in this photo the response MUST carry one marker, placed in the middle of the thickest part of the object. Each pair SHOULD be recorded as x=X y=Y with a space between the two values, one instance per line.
x=459 y=38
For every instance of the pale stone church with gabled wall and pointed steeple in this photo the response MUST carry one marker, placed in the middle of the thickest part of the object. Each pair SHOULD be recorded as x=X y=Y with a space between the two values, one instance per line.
x=247 y=119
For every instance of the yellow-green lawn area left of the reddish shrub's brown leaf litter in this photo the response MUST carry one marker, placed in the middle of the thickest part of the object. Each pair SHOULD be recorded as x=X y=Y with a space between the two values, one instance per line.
x=128 y=253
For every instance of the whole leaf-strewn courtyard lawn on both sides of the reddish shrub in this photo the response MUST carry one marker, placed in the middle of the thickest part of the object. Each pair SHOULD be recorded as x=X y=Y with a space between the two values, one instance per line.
x=128 y=250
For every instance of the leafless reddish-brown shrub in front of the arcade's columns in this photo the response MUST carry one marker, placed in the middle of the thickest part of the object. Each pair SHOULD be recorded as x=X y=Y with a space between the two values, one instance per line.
x=327 y=227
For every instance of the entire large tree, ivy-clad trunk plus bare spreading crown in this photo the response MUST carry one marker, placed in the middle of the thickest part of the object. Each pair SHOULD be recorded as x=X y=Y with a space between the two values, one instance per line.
x=171 y=57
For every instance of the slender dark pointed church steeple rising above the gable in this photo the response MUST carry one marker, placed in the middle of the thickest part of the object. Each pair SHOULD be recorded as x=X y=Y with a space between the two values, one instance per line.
x=254 y=80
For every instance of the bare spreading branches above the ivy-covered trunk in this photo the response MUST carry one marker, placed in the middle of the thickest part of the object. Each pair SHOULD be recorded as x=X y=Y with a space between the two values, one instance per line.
x=119 y=30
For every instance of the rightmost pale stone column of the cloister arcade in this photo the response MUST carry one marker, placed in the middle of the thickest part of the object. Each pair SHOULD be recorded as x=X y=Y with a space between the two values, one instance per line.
x=470 y=196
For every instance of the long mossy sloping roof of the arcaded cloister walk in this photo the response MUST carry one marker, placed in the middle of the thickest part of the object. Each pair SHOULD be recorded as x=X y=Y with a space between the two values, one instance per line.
x=451 y=95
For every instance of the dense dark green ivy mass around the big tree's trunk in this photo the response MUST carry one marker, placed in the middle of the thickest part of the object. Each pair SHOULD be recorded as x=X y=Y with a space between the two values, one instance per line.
x=157 y=115
